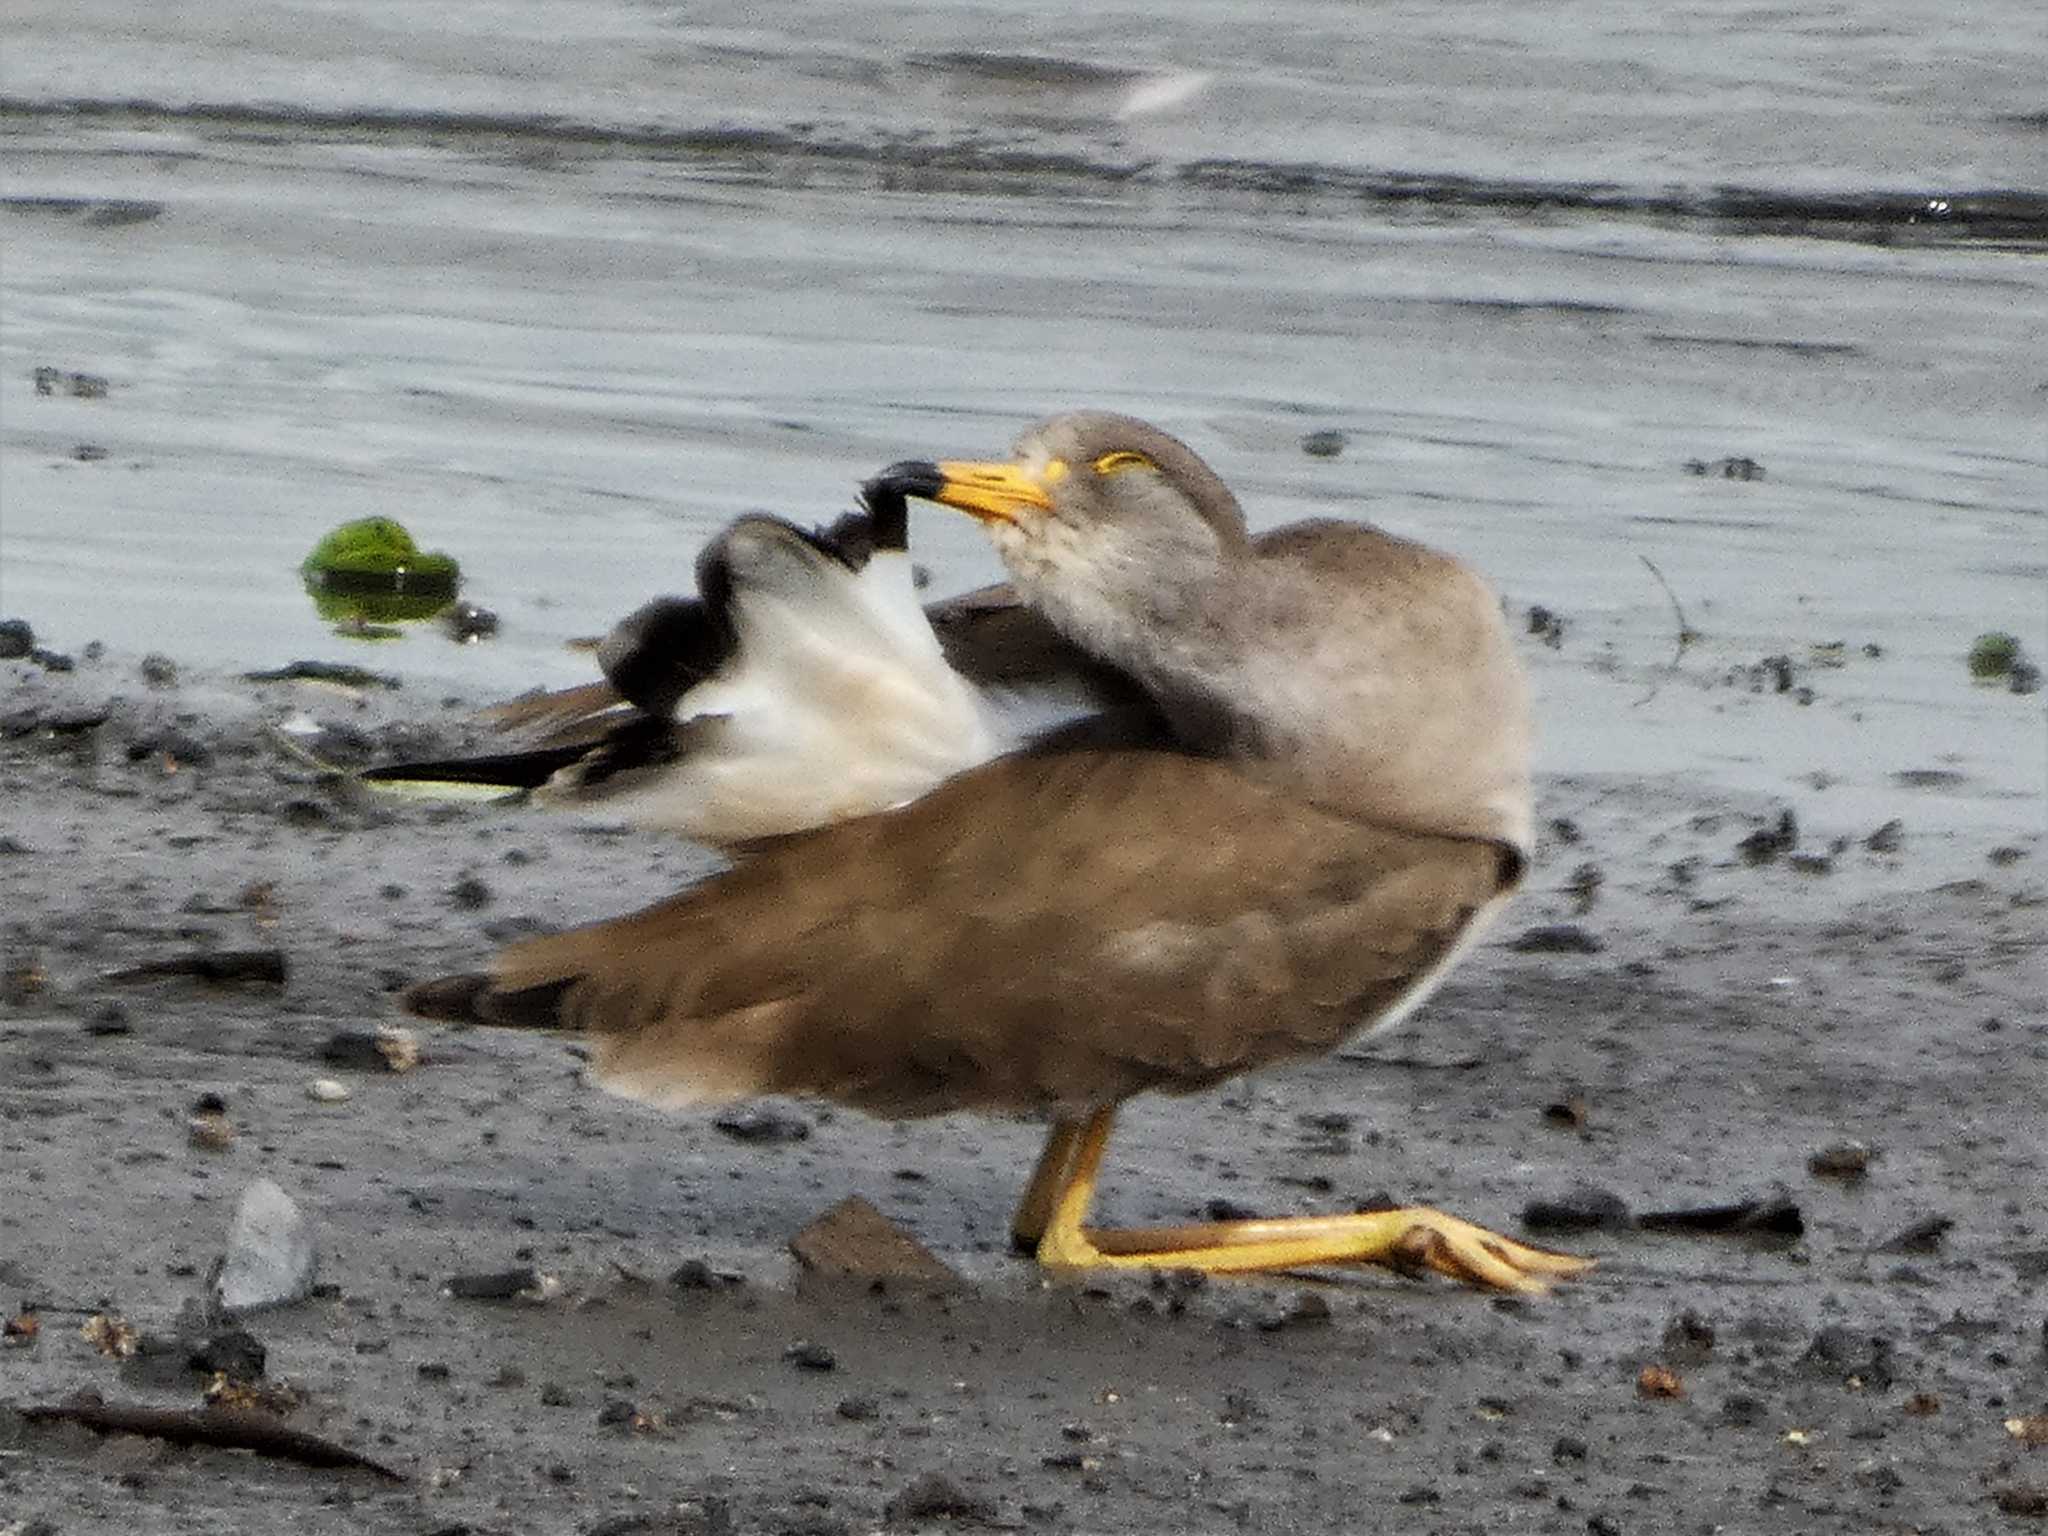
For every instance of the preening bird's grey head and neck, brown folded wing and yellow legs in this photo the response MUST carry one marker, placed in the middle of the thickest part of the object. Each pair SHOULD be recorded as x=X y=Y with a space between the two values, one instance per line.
x=1330 y=806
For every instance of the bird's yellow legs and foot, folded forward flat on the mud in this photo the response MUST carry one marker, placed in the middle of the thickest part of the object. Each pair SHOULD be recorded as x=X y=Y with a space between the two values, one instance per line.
x=1412 y=1238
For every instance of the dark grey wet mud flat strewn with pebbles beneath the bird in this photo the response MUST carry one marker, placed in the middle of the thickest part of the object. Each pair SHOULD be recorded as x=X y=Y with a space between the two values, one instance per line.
x=1723 y=1009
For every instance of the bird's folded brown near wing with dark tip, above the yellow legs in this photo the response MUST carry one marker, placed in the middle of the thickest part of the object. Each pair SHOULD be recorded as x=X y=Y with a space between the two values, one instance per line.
x=1046 y=931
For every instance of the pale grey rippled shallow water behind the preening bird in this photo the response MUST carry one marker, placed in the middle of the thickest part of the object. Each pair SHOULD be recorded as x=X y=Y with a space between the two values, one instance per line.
x=566 y=288
